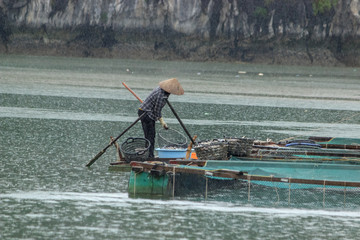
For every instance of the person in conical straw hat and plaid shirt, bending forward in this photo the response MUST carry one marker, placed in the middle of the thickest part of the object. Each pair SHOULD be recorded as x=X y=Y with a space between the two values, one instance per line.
x=153 y=105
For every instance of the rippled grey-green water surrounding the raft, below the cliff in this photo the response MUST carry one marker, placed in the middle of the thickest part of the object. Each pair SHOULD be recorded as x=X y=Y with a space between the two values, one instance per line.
x=58 y=113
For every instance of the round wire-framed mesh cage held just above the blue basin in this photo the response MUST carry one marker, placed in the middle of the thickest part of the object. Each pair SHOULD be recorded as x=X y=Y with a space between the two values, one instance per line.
x=171 y=138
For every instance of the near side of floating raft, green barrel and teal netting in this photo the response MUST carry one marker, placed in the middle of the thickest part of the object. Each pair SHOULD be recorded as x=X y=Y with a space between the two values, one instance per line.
x=246 y=179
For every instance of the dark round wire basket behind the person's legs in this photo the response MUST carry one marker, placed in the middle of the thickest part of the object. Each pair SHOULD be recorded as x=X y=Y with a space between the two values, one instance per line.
x=135 y=149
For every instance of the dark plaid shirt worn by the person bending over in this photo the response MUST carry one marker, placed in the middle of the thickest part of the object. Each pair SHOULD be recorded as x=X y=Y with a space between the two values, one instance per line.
x=154 y=103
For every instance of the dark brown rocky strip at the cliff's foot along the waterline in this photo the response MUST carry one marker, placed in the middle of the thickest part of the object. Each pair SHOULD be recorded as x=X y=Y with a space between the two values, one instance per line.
x=219 y=51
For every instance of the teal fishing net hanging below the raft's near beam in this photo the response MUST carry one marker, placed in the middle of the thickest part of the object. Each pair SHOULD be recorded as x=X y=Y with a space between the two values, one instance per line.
x=273 y=192
